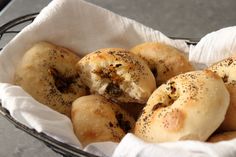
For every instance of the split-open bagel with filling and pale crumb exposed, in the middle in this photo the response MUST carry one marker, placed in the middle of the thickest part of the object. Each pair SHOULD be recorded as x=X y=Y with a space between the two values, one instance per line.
x=118 y=75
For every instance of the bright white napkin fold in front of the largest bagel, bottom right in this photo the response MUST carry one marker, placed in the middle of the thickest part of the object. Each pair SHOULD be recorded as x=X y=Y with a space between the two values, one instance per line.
x=131 y=146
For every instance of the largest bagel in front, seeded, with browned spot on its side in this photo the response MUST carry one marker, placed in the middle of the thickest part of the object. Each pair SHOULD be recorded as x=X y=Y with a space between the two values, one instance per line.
x=189 y=106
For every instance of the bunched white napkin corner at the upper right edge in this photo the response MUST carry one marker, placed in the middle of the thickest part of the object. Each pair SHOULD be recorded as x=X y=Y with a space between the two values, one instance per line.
x=214 y=47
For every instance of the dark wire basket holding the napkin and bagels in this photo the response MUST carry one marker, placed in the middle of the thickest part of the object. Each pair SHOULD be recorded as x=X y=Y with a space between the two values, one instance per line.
x=7 y=32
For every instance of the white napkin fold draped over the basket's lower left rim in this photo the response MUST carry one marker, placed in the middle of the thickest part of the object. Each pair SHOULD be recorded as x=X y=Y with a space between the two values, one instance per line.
x=31 y=113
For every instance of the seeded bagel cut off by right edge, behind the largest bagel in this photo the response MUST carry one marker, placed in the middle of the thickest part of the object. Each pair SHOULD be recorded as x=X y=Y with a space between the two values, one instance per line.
x=226 y=69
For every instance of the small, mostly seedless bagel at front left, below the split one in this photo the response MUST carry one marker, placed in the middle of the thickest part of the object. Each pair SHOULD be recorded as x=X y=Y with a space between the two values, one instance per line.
x=95 y=119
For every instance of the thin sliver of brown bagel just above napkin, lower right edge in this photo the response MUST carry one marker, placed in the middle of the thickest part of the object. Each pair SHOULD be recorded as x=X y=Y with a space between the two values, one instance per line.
x=225 y=136
